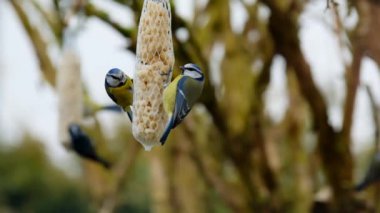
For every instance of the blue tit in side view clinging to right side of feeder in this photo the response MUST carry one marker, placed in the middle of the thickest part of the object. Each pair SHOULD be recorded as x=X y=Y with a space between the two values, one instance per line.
x=180 y=96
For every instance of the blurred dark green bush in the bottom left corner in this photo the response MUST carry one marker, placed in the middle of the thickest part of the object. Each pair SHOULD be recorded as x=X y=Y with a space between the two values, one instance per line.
x=28 y=181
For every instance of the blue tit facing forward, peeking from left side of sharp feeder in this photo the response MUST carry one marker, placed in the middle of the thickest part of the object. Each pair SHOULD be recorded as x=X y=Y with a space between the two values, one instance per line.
x=119 y=88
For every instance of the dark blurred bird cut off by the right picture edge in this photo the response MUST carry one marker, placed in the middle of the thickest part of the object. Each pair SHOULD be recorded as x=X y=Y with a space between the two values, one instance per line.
x=372 y=175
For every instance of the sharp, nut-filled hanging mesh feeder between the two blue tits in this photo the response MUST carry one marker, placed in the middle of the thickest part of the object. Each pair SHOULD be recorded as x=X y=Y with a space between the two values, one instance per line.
x=154 y=64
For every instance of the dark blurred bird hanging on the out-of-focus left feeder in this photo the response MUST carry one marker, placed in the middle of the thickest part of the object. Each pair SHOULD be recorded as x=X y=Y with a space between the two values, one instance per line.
x=83 y=146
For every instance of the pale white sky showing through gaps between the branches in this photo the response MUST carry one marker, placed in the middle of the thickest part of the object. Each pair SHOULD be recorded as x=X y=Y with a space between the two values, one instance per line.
x=29 y=104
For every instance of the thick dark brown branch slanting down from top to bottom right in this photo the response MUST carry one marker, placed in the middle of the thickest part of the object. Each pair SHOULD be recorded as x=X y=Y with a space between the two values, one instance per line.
x=284 y=28
